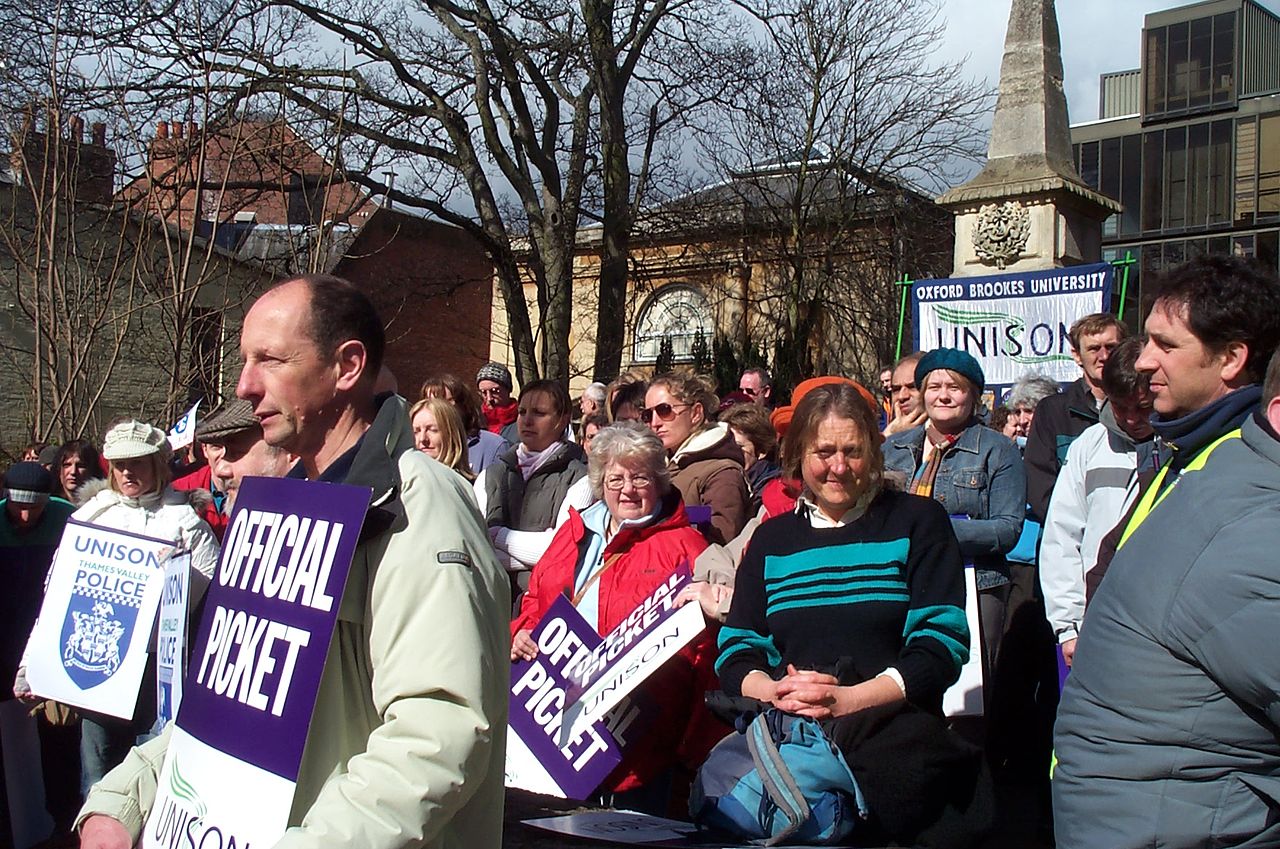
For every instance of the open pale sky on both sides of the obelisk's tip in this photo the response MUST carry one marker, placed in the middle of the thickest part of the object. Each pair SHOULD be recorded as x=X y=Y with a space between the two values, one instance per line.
x=1098 y=36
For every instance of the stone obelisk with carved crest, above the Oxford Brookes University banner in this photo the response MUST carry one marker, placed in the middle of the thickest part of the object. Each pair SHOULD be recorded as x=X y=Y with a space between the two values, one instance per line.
x=1028 y=208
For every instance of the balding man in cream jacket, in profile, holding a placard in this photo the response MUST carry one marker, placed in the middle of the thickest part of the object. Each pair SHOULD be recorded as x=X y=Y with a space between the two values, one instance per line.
x=406 y=746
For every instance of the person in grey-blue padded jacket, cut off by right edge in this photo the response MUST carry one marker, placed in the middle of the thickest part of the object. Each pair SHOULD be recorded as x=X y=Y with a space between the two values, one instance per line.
x=1169 y=731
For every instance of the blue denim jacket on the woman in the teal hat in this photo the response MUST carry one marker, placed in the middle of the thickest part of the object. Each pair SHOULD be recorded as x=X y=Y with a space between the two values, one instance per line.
x=982 y=478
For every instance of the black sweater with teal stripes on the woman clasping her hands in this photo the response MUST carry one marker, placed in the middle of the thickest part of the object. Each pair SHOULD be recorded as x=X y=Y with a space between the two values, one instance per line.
x=885 y=591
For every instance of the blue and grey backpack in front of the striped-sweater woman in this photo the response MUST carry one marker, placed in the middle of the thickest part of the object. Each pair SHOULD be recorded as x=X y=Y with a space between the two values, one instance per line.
x=780 y=780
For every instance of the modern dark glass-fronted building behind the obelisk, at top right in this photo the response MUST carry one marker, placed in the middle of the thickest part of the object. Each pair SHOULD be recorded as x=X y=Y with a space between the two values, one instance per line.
x=1190 y=144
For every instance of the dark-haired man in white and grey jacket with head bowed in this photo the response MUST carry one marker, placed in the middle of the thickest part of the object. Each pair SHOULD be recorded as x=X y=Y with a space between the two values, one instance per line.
x=1095 y=491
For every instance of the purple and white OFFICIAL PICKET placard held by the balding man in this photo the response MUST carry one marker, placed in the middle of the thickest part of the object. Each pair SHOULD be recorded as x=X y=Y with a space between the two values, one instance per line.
x=257 y=661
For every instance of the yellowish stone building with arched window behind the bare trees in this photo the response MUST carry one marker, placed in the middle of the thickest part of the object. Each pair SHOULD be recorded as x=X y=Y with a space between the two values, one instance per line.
x=728 y=266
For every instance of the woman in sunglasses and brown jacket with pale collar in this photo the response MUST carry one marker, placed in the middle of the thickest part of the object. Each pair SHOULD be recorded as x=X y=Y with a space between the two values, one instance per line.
x=705 y=462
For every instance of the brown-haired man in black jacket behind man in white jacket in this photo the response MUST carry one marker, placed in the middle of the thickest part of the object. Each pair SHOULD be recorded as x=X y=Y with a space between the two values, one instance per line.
x=1059 y=419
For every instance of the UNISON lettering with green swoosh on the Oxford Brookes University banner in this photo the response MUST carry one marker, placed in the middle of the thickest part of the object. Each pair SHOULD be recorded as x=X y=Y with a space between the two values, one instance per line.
x=986 y=334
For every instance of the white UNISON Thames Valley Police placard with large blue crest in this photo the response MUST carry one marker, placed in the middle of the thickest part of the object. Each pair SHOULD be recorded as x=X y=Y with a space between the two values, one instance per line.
x=89 y=647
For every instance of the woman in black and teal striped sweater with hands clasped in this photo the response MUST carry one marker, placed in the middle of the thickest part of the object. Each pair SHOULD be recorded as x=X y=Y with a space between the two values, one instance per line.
x=851 y=610
